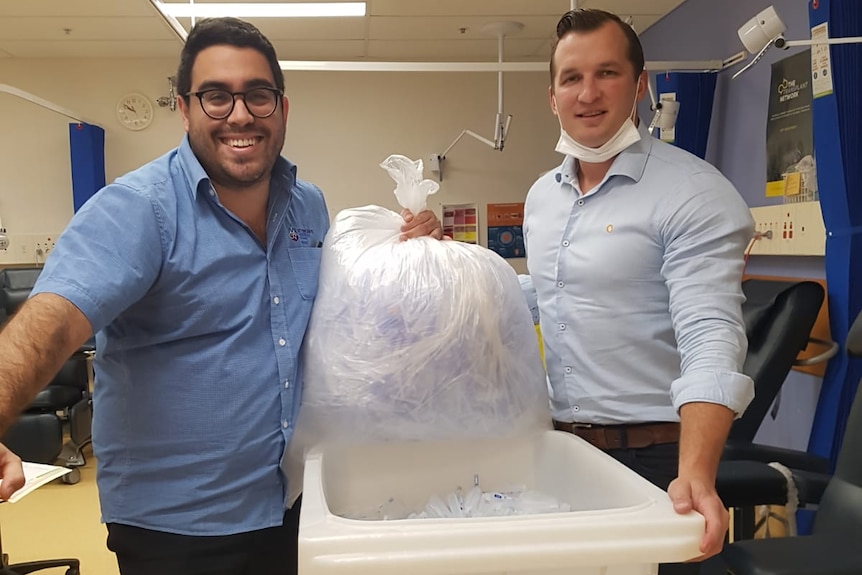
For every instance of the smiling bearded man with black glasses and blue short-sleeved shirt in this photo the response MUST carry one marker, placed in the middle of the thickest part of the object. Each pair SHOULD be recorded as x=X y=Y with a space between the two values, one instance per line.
x=197 y=272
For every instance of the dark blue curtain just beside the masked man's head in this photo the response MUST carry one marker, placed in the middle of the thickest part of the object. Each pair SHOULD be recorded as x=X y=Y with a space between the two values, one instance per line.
x=695 y=94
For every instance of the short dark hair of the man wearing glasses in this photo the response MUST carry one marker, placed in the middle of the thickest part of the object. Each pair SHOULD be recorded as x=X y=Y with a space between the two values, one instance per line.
x=224 y=32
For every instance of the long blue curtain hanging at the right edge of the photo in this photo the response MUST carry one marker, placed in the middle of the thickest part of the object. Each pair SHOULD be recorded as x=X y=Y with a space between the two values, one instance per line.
x=837 y=121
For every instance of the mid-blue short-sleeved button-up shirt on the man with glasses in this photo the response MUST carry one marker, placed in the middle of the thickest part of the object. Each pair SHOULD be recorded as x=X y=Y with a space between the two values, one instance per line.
x=199 y=329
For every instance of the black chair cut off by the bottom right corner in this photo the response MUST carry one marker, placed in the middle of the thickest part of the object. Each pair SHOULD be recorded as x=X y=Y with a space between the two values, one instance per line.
x=833 y=546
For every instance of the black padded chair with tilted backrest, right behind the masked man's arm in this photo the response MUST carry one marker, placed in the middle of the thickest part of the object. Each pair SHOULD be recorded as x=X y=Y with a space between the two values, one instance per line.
x=779 y=317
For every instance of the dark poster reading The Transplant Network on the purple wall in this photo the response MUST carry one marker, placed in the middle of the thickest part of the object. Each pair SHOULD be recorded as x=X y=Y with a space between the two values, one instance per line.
x=789 y=132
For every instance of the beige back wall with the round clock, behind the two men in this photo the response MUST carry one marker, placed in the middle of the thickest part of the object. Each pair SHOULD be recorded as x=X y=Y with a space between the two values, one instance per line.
x=340 y=126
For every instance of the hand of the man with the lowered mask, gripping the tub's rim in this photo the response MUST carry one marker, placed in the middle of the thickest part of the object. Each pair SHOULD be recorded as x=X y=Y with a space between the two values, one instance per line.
x=701 y=497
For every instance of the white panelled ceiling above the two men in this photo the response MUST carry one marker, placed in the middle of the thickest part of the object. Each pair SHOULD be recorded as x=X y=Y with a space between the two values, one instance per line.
x=393 y=30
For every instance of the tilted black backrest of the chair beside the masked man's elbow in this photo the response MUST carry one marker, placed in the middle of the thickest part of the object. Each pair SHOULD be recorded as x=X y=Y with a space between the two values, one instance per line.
x=779 y=316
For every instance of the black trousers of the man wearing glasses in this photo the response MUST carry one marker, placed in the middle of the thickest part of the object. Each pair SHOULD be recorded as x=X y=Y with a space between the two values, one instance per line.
x=265 y=552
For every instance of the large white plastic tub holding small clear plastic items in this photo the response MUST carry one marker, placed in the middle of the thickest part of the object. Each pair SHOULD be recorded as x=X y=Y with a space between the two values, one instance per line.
x=620 y=524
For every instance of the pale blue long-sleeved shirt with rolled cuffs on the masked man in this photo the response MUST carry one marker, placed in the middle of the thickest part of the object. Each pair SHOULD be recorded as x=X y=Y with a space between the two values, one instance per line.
x=639 y=286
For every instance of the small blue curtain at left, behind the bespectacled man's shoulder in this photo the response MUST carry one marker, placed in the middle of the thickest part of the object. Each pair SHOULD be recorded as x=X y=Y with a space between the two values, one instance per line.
x=87 y=149
